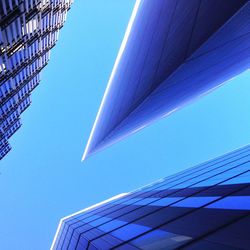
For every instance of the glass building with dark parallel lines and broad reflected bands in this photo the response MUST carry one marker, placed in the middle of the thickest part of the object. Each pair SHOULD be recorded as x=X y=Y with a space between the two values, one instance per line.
x=203 y=207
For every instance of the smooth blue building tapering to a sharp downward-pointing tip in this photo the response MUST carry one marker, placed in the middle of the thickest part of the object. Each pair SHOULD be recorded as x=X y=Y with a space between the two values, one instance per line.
x=173 y=52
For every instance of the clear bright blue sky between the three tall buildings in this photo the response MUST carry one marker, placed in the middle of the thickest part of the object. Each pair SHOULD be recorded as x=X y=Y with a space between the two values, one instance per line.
x=42 y=179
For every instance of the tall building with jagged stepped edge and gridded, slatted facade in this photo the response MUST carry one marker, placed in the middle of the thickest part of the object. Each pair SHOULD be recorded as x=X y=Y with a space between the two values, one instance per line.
x=28 y=30
